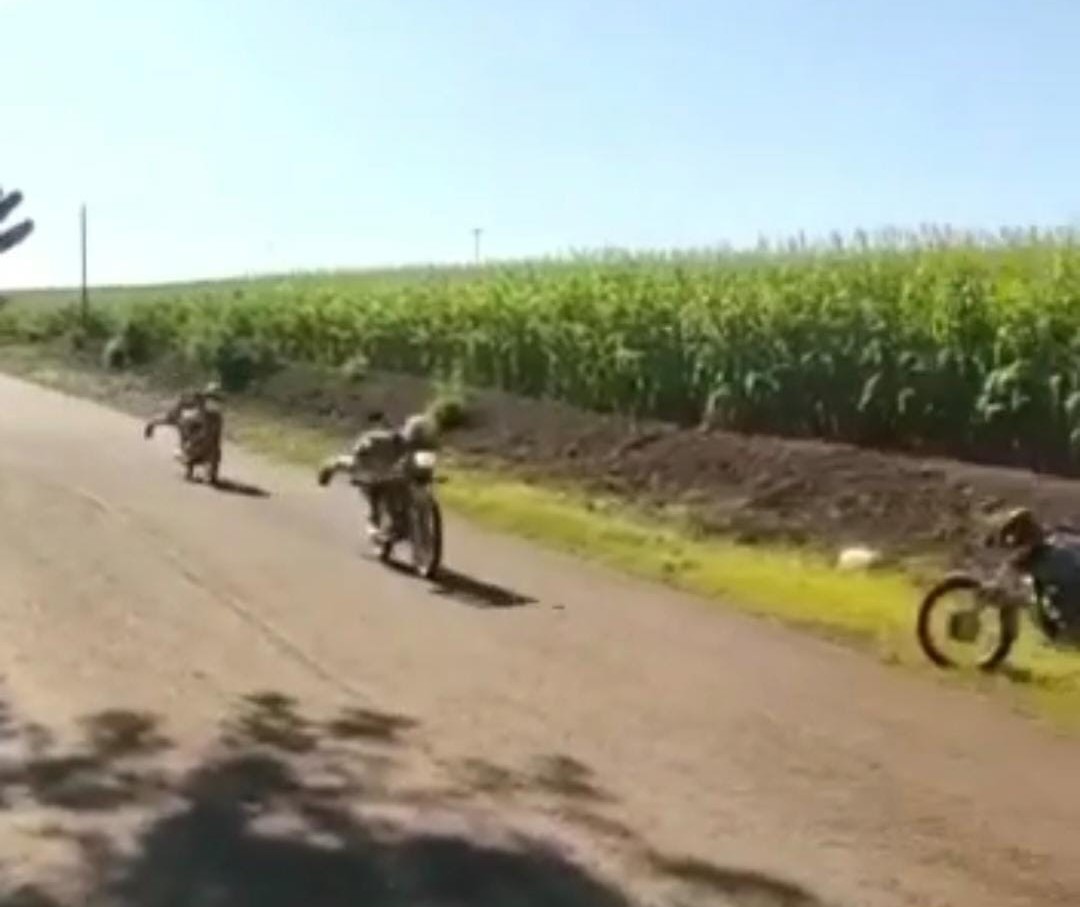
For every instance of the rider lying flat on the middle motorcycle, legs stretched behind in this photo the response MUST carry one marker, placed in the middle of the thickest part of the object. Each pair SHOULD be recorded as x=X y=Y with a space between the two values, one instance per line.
x=373 y=457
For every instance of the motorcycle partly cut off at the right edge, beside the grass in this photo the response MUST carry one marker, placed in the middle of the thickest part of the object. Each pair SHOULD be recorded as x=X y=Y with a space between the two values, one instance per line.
x=994 y=604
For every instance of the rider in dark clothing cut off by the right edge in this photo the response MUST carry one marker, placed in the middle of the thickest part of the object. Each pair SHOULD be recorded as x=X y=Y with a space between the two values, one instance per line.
x=1052 y=560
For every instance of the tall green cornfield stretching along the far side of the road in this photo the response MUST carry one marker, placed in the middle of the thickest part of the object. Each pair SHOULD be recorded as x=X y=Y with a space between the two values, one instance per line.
x=937 y=343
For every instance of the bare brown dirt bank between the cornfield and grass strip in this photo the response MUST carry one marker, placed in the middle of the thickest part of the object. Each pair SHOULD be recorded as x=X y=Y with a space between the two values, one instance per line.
x=755 y=489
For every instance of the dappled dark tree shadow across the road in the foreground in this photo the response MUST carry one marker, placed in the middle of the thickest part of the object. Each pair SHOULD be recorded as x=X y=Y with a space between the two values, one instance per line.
x=285 y=809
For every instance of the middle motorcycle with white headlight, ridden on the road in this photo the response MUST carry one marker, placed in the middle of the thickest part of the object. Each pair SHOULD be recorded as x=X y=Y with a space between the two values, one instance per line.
x=410 y=512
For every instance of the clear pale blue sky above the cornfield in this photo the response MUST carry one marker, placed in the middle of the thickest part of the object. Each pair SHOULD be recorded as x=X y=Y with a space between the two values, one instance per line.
x=214 y=138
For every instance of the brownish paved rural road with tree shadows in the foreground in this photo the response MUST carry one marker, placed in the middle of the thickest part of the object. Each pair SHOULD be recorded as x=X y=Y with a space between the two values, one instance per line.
x=334 y=734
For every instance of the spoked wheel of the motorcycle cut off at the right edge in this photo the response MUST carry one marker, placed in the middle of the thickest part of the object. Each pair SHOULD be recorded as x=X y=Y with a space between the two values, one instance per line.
x=958 y=629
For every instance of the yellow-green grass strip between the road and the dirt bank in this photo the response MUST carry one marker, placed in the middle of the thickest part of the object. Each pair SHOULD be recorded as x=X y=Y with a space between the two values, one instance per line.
x=874 y=612
